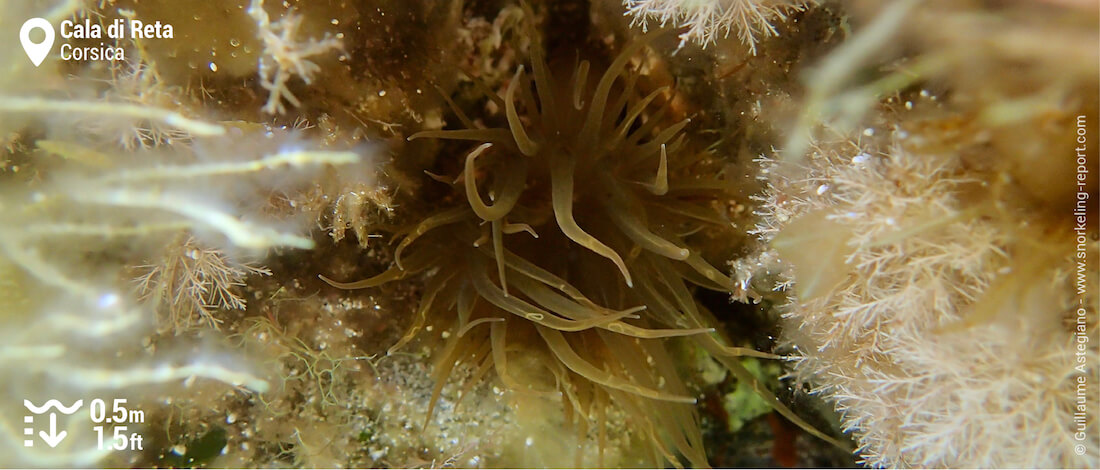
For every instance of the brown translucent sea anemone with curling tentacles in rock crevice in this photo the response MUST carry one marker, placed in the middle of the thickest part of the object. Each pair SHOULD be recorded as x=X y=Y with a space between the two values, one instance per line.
x=565 y=246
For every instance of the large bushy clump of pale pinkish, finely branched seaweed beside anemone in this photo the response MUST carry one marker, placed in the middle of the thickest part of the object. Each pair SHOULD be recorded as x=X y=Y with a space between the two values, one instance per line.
x=917 y=311
